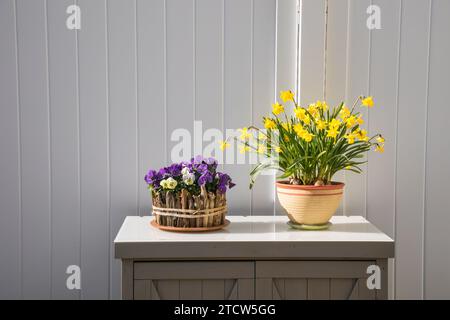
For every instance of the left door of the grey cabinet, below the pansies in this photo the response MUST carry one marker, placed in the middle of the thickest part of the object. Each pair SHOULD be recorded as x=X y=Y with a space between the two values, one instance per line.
x=193 y=280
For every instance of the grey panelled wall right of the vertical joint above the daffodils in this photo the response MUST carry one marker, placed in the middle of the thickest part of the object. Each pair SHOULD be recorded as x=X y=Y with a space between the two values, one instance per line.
x=403 y=65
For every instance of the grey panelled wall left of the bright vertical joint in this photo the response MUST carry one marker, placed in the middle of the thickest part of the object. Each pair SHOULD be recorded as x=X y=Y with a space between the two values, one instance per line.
x=84 y=114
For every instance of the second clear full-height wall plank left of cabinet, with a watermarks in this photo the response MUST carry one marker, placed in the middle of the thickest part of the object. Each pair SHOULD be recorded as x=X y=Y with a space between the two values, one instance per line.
x=64 y=114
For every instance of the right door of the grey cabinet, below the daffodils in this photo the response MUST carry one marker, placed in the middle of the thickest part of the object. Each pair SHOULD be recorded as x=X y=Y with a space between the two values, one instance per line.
x=310 y=280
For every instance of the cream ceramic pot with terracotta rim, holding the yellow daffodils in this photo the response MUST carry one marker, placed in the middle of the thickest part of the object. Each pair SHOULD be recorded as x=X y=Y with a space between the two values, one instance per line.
x=310 y=205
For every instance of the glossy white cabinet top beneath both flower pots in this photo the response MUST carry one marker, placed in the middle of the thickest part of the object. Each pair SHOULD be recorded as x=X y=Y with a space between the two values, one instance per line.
x=254 y=237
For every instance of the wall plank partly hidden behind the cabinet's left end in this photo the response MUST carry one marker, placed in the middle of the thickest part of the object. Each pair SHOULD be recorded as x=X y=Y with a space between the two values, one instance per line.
x=123 y=120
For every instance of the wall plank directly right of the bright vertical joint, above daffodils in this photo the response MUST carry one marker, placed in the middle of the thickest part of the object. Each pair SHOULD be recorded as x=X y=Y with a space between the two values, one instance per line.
x=312 y=55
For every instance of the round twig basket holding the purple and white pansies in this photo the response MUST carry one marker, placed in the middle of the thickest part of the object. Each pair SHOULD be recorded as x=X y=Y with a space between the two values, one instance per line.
x=188 y=218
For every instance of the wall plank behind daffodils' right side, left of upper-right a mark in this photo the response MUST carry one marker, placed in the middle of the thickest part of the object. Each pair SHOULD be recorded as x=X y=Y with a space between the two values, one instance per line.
x=358 y=55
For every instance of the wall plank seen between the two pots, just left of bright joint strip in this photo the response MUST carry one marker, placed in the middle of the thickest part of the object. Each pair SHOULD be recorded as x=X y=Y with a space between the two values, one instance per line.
x=263 y=83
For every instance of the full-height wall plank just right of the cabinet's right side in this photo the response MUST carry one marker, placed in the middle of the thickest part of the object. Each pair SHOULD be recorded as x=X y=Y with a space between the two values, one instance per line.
x=412 y=103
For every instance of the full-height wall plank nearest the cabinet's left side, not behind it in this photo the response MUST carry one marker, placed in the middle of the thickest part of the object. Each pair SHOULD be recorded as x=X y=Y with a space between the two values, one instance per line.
x=94 y=165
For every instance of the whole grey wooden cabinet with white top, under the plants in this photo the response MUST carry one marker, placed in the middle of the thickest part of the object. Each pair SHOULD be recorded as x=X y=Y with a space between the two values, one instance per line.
x=254 y=258
